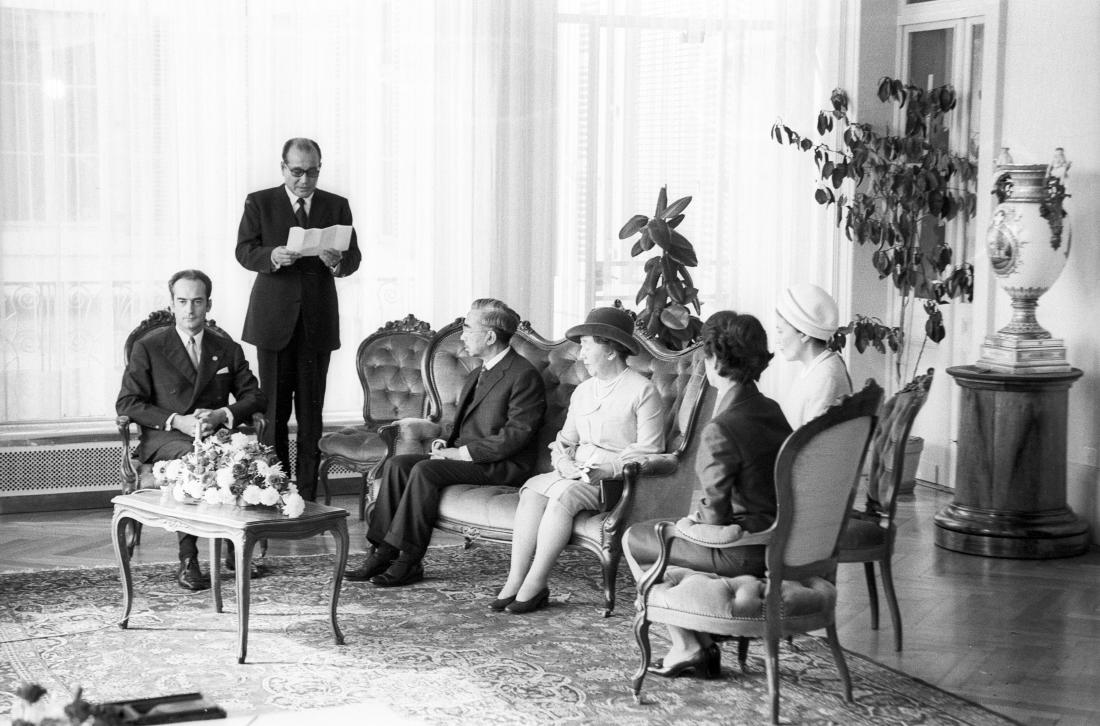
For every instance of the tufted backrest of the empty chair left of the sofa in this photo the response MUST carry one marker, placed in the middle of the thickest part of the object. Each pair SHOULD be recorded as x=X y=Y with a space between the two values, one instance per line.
x=389 y=367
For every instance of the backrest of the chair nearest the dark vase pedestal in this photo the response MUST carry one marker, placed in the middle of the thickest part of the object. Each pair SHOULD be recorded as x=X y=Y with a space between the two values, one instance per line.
x=888 y=446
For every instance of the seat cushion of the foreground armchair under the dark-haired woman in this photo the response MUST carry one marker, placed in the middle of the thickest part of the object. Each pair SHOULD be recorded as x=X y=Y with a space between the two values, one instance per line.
x=710 y=603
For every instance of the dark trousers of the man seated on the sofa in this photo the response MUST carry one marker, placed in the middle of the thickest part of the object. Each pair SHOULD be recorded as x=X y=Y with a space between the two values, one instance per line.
x=409 y=499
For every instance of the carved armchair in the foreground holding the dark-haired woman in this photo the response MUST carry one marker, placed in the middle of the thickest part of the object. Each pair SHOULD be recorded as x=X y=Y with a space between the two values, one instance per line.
x=817 y=476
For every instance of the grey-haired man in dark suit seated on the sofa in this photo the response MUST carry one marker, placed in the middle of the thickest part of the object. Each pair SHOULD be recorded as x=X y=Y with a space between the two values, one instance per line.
x=501 y=410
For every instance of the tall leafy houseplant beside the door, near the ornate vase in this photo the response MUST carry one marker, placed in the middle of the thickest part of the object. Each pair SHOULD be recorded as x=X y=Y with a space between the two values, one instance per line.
x=905 y=185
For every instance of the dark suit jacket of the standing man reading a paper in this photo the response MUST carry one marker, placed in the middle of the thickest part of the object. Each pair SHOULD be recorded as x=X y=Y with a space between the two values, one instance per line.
x=306 y=288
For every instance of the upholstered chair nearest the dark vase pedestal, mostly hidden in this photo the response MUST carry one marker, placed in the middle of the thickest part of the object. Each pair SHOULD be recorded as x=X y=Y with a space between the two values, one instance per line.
x=870 y=535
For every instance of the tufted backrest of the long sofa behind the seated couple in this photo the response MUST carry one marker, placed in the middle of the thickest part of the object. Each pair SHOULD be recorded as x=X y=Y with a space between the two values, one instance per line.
x=678 y=376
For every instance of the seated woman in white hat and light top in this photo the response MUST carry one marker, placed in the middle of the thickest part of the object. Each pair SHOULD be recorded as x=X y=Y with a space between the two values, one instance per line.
x=808 y=321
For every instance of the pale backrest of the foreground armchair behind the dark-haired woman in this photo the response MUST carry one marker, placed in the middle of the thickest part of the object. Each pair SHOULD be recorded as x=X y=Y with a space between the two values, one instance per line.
x=817 y=474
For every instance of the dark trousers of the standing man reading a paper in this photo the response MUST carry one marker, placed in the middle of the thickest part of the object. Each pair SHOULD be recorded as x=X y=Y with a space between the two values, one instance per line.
x=295 y=377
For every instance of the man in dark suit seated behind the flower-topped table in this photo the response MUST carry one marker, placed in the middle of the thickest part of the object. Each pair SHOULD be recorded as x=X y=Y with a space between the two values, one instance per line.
x=179 y=382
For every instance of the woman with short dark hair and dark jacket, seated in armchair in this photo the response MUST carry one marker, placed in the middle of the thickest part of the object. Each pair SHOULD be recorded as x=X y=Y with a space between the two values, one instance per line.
x=735 y=467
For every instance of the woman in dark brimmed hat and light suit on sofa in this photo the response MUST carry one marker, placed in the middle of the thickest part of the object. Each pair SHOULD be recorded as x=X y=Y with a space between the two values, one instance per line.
x=614 y=415
